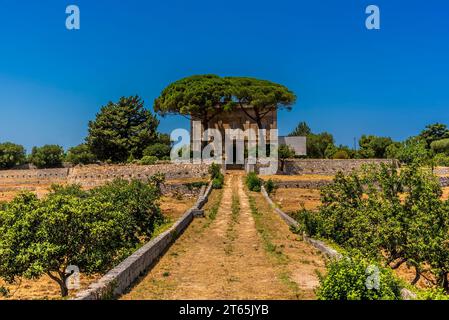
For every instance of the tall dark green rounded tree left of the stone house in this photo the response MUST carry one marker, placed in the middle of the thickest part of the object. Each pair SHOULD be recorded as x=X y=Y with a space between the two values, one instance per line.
x=122 y=130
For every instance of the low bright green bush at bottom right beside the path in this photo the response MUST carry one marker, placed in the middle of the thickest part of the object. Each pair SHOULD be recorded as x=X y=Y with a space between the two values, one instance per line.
x=355 y=278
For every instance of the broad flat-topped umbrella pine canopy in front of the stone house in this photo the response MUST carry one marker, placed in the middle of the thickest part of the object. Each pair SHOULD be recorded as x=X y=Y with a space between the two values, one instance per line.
x=203 y=97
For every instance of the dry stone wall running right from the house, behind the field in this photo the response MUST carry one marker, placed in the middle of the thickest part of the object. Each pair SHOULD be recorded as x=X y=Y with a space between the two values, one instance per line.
x=327 y=166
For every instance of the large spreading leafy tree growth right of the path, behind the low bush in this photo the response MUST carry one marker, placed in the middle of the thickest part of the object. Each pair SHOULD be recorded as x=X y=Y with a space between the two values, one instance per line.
x=394 y=216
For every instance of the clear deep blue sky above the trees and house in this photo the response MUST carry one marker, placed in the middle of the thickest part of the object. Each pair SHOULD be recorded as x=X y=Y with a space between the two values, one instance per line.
x=349 y=80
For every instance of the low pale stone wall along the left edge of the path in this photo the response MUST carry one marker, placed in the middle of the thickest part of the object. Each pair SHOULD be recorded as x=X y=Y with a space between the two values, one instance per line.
x=119 y=279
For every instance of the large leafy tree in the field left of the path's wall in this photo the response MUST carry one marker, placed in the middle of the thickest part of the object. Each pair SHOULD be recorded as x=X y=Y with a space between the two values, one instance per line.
x=93 y=230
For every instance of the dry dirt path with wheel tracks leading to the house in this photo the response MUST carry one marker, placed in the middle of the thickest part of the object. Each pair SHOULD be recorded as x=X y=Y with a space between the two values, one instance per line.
x=233 y=254
